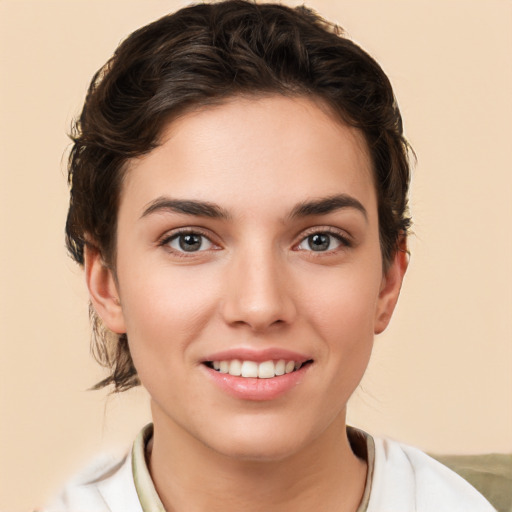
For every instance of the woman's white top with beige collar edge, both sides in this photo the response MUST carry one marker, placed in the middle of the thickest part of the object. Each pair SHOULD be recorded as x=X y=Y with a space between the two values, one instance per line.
x=400 y=479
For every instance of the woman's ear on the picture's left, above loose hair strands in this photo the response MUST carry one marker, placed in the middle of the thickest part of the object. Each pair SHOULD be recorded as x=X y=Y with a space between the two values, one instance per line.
x=103 y=291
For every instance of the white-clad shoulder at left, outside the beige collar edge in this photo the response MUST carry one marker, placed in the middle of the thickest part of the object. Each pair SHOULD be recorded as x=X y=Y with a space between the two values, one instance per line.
x=106 y=485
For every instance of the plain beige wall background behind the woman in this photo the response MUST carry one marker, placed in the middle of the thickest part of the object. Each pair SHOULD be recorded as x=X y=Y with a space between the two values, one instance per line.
x=441 y=376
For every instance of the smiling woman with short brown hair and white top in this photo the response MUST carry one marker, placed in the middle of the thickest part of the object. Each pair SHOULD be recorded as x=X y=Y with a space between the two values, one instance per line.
x=239 y=183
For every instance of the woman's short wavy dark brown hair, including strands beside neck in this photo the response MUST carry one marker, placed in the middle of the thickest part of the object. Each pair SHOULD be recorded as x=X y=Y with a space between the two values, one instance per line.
x=205 y=54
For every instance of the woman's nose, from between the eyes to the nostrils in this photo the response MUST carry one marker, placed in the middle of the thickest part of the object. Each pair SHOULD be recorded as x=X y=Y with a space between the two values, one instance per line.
x=259 y=294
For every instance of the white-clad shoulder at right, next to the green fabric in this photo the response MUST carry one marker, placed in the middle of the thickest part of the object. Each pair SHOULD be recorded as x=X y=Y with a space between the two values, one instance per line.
x=406 y=479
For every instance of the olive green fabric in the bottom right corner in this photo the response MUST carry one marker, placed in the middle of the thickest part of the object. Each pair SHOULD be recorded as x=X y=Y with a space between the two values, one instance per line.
x=490 y=474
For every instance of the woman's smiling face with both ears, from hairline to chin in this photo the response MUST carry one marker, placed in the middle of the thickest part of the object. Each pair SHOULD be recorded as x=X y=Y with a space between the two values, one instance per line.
x=249 y=274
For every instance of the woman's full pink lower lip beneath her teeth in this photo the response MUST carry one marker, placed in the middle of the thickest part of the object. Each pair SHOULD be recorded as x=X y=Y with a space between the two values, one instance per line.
x=247 y=388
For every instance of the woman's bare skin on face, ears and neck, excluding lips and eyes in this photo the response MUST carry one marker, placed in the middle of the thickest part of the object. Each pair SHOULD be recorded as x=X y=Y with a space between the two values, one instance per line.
x=254 y=284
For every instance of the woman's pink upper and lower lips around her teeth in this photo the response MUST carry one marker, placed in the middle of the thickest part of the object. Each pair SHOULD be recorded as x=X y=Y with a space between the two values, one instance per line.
x=253 y=389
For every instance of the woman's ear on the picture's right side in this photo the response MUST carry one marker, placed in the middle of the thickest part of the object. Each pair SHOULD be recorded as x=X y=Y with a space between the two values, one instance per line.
x=390 y=287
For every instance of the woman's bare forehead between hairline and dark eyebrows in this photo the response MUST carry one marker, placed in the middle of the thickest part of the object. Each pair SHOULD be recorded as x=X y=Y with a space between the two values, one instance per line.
x=243 y=151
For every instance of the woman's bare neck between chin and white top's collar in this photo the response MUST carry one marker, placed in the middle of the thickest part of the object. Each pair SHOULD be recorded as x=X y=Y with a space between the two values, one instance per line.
x=189 y=476
